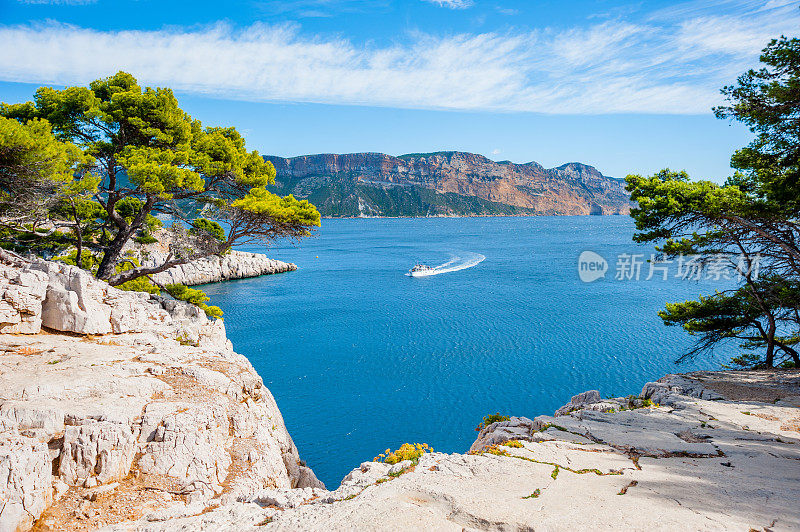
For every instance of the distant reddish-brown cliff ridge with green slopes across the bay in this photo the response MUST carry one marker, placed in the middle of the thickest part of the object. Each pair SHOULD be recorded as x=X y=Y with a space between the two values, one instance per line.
x=445 y=184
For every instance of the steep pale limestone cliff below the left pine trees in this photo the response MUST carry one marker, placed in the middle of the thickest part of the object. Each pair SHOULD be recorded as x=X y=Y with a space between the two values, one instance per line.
x=138 y=394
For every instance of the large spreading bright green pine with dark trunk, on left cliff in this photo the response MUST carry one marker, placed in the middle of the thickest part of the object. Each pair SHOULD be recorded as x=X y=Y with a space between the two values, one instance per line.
x=144 y=156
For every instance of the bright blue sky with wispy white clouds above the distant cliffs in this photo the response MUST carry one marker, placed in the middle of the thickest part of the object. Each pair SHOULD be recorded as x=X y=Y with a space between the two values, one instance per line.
x=625 y=86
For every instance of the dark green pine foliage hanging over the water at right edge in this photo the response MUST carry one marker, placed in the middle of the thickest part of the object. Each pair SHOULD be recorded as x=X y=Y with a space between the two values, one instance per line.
x=751 y=218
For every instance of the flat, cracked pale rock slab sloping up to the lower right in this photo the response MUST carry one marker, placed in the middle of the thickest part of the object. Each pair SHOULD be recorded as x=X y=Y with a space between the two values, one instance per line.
x=705 y=462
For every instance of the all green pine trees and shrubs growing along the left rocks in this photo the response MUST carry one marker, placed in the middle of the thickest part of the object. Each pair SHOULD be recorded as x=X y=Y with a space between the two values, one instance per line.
x=84 y=170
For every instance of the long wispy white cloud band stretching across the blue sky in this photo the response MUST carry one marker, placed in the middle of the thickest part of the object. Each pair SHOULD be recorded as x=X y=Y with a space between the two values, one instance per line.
x=673 y=62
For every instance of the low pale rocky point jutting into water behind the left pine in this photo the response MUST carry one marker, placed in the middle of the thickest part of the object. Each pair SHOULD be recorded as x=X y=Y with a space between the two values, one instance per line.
x=233 y=265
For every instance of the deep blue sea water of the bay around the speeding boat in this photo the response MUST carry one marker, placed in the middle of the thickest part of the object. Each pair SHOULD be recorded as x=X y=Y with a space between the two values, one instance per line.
x=361 y=357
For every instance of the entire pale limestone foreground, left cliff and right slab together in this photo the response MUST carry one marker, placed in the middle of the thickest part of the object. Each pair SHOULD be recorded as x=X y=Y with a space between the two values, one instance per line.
x=125 y=411
